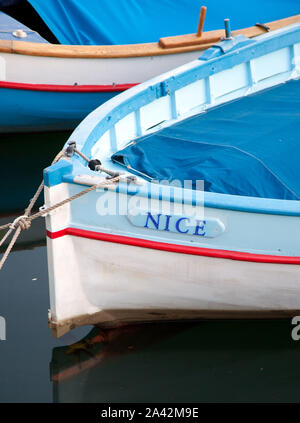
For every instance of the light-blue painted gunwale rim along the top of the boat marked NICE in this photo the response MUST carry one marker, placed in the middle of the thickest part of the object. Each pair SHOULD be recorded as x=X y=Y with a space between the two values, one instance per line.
x=104 y=117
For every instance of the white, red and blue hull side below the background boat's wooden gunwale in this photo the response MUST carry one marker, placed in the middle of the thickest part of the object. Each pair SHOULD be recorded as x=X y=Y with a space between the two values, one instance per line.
x=50 y=93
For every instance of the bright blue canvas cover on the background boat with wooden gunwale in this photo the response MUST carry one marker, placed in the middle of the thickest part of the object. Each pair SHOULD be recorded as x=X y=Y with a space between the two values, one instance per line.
x=142 y=21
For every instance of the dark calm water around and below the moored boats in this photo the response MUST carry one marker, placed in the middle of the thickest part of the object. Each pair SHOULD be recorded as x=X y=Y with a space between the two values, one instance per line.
x=227 y=361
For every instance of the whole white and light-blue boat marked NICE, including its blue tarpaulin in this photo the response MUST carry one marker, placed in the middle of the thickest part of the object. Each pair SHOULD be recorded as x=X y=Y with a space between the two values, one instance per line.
x=204 y=221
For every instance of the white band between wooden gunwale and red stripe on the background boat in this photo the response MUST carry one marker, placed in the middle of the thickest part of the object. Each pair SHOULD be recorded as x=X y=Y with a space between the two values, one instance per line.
x=27 y=69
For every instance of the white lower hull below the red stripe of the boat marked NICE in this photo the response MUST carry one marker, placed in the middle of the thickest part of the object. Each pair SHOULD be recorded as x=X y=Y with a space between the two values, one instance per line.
x=109 y=283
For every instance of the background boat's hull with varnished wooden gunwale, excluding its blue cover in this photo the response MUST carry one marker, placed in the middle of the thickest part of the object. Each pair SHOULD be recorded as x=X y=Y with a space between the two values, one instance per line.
x=48 y=87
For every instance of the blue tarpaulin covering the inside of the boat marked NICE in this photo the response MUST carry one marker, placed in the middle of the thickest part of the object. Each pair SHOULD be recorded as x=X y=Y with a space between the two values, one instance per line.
x=249 y=147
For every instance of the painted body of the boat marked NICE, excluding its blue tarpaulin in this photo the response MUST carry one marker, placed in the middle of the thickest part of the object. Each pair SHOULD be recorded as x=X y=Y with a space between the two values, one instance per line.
x=144 y=251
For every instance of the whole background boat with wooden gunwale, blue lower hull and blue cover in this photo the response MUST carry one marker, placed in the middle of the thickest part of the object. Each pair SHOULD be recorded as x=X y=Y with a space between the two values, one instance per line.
x=46 y=86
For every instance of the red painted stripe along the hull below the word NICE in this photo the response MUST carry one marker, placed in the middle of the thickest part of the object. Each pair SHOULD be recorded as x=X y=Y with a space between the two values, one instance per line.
x=175 y=248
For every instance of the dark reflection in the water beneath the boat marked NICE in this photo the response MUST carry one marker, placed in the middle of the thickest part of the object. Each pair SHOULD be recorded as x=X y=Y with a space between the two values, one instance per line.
x=211 y=361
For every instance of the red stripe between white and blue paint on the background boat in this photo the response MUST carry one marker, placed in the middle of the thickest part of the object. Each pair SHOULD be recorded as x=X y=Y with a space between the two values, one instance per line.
x=66 y=88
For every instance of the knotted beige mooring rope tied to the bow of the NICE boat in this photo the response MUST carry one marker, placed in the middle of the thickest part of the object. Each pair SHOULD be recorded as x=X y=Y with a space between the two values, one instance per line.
x=23 y=222
